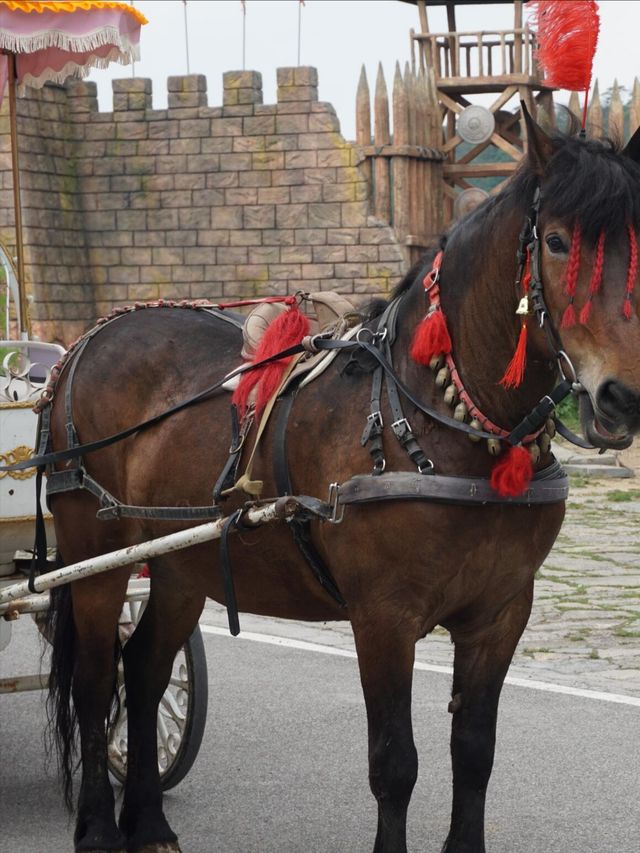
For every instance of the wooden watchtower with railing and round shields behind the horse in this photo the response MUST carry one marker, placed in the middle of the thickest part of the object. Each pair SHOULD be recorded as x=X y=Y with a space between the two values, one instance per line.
x=481 y=141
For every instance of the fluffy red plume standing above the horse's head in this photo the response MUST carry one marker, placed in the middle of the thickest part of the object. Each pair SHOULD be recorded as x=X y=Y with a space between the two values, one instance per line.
x=567 y=32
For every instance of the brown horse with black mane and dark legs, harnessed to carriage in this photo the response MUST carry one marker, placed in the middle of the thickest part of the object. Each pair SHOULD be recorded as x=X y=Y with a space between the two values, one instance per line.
x=402 y=567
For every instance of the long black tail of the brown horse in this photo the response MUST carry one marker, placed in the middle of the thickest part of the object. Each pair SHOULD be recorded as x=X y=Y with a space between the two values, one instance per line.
x=63 y=723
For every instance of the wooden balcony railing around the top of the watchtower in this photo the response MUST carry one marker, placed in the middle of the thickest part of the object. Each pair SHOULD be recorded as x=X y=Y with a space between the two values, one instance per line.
x=489 y=53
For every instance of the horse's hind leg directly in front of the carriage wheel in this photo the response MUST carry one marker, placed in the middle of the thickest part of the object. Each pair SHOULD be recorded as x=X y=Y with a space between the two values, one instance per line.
x=167 y=622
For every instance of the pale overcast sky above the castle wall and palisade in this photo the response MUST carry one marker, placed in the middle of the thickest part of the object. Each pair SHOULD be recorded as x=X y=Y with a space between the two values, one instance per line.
x=337 y=37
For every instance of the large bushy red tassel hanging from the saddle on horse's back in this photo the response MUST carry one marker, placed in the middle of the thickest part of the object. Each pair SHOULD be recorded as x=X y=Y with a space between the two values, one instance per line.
x=286 y=330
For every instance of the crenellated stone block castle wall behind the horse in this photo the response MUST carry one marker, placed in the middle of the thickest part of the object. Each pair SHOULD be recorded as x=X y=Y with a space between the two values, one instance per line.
x=243 y=200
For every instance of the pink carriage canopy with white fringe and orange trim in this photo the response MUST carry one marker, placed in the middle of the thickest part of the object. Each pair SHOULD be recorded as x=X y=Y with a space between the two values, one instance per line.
x=53 y=41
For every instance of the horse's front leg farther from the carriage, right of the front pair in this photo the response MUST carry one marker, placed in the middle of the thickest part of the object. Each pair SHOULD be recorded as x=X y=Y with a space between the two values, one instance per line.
x=482 y=658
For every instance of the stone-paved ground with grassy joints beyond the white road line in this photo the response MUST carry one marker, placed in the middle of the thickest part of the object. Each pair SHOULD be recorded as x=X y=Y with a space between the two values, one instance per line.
x=585 y=627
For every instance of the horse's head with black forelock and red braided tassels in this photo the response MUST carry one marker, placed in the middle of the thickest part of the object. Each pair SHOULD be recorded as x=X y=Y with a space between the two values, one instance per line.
x=588 y=226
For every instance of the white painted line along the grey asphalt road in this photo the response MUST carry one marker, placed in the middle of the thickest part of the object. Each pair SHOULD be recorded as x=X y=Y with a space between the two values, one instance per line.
x=532 y=684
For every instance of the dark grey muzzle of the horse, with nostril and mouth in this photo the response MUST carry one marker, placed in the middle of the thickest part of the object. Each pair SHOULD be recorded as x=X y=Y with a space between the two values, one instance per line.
x=614 y=418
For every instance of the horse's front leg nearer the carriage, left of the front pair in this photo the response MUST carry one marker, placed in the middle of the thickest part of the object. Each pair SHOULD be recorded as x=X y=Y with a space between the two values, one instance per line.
x=386 y=653
